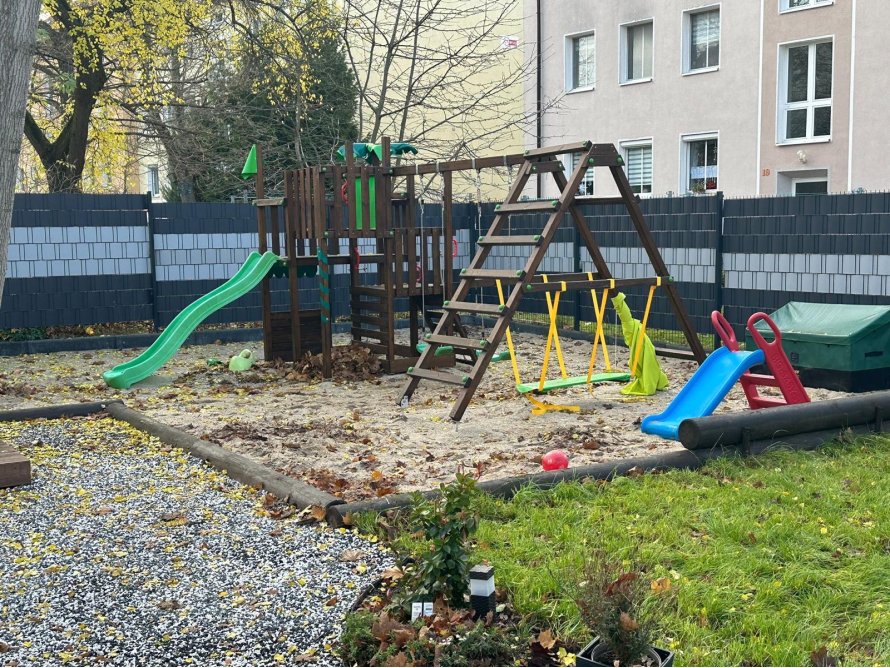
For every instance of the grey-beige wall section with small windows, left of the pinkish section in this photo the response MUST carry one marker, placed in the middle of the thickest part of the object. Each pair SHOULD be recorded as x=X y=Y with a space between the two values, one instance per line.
x=665 y=108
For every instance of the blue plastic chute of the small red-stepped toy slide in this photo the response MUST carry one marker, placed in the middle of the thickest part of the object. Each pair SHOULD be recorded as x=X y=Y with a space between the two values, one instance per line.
x=704 y=392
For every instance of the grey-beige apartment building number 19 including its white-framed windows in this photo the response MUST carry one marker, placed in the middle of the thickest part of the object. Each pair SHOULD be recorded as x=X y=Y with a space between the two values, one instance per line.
x=746 y=97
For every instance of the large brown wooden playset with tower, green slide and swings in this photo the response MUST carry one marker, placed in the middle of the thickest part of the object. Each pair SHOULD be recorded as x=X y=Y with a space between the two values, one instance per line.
x=358 y=199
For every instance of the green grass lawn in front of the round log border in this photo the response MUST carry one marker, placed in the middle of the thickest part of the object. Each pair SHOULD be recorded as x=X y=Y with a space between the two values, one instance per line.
x=769 y=559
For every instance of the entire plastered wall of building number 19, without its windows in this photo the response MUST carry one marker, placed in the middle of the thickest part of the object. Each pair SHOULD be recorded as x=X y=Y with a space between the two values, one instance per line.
x=728 y=101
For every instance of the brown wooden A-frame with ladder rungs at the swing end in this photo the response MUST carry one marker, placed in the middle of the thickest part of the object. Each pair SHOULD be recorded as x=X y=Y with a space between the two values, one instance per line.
x=539 y=161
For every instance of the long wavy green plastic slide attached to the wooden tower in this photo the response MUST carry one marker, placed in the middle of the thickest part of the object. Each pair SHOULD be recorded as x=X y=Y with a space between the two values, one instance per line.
x=165 y=346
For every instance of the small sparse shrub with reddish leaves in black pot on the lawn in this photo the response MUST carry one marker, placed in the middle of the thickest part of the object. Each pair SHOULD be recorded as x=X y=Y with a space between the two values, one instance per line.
x=611 y=602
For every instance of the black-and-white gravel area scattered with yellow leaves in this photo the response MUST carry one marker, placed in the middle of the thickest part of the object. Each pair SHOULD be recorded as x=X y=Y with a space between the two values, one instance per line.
x=123 y=552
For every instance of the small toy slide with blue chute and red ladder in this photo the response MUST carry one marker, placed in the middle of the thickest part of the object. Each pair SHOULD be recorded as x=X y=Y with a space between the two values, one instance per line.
x=723 y=369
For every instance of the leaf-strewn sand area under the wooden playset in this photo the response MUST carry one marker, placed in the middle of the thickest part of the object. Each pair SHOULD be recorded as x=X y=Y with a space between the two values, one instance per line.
x=349 y=436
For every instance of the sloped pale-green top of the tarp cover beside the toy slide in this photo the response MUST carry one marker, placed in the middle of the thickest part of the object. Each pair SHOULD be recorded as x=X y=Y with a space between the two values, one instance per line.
x=835 y=324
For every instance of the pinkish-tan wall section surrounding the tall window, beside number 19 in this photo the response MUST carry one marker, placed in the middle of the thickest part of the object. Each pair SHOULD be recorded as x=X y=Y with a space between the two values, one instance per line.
x=820 y=21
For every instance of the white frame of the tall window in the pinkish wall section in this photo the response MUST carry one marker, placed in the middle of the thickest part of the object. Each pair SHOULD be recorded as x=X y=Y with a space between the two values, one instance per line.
x=811 y=103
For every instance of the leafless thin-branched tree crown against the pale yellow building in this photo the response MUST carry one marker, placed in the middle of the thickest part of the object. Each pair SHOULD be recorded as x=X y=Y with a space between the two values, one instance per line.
x=442 y=74
